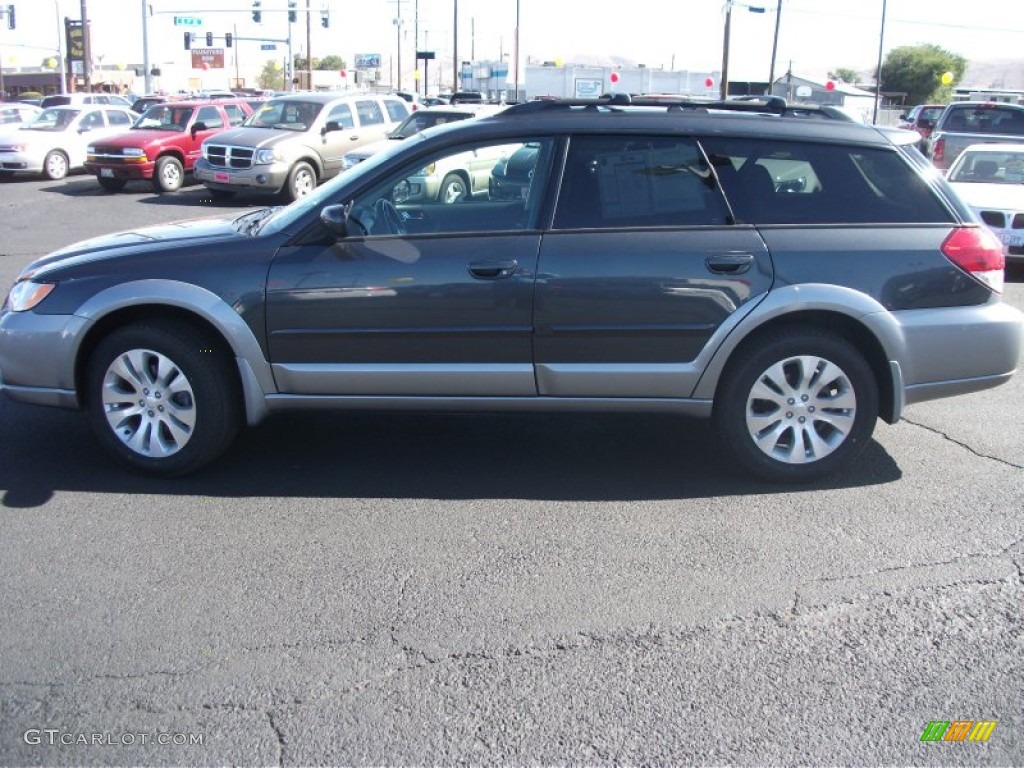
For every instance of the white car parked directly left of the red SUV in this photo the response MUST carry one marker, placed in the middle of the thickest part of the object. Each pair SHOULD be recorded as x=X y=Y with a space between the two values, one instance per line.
x=56 y=142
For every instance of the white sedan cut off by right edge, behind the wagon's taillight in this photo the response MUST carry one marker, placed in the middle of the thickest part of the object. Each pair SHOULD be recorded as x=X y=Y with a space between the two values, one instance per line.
x=991 y=180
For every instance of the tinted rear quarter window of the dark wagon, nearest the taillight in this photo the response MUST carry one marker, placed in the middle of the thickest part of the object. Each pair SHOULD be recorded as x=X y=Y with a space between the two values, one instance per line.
x=785 y=183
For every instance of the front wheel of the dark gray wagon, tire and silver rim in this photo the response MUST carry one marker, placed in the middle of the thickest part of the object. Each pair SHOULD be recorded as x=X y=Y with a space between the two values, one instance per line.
x=162 y=398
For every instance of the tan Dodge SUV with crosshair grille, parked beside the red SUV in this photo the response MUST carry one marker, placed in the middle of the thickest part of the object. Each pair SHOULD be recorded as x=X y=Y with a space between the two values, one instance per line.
x=294 y=143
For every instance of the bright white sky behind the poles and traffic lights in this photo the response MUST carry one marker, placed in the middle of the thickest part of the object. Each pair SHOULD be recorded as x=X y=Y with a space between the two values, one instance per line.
x=815 y=36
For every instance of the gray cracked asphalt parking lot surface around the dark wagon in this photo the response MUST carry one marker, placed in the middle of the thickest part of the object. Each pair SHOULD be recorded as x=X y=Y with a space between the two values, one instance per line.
x=411 y=589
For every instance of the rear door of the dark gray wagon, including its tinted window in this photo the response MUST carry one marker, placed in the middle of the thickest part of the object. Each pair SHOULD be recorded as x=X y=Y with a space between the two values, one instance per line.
x=643 y=269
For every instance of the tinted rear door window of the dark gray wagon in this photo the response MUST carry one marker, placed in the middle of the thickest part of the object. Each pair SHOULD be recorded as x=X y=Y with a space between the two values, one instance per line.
x=614 y=182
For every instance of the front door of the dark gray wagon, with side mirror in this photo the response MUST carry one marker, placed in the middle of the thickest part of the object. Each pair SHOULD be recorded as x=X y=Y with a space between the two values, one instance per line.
x=419 y=301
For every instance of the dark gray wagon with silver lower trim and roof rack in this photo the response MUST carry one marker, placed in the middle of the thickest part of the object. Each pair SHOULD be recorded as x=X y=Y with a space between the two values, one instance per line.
x=792 y=280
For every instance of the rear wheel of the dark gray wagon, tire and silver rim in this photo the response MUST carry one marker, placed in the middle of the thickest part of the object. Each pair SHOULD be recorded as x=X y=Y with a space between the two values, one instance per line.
x=782 y=420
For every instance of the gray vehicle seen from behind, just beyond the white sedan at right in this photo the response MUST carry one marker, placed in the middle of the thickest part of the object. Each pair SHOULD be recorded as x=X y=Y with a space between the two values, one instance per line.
x=966 y=123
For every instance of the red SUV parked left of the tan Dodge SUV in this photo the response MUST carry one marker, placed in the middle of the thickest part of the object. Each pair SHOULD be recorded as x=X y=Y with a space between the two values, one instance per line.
x=163 y=145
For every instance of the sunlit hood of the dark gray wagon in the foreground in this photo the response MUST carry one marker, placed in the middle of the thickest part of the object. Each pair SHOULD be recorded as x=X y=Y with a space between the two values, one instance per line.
x=163 y=237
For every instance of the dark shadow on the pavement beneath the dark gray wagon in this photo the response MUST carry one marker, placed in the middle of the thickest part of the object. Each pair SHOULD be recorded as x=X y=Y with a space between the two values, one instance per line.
x=558 y=457
